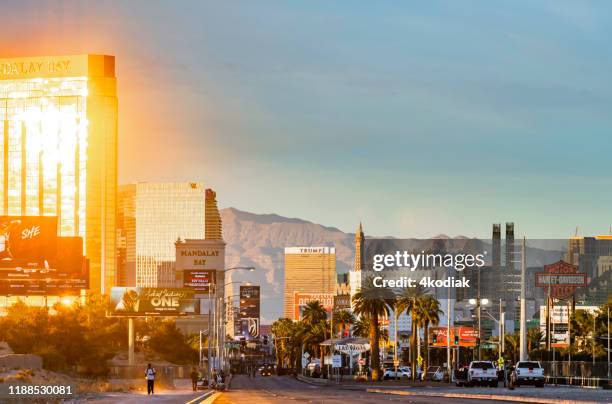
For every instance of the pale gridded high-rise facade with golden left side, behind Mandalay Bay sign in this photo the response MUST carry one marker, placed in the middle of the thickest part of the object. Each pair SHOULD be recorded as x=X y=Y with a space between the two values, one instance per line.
x=151 y=218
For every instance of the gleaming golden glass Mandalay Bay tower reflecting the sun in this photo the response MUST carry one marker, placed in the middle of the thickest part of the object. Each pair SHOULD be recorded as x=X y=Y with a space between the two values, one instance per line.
x=58 y=132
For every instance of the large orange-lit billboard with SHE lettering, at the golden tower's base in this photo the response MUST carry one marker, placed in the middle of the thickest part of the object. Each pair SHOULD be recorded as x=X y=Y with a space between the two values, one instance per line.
x=35 y=261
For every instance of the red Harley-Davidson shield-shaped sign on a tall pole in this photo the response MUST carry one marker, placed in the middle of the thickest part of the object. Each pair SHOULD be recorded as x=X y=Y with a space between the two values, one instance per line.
x=561 y=279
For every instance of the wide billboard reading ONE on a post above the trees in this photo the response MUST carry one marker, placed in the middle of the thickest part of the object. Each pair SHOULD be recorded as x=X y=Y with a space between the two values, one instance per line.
x=142 y=302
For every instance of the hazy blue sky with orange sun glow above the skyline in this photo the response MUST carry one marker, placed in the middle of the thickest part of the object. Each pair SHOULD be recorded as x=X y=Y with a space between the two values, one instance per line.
x=417 y=119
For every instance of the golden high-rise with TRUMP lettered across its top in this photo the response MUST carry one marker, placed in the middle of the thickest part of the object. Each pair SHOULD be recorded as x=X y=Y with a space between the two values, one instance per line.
x=308 y=270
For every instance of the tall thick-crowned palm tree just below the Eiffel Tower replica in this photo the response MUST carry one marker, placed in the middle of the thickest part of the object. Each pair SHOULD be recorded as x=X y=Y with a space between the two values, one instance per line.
x=369 y=302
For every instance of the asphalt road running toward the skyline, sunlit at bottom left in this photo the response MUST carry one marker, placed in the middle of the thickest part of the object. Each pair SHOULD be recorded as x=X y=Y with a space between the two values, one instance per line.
x=282 y=389
